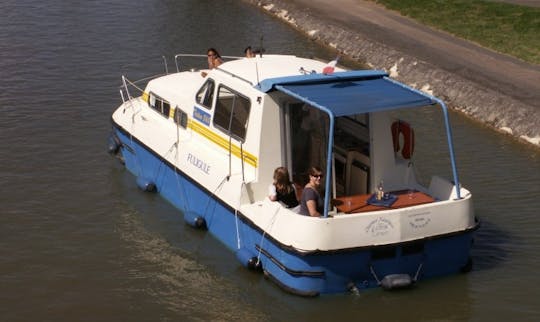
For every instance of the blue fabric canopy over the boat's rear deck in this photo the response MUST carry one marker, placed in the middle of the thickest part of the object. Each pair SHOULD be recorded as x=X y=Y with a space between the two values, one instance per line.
x=348 y=93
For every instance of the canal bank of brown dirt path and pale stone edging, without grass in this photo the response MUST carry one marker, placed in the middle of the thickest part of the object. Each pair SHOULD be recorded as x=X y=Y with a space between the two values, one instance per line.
x=494 y=89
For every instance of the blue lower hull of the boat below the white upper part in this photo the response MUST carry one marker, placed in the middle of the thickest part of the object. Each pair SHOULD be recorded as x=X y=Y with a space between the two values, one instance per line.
x=302 y=273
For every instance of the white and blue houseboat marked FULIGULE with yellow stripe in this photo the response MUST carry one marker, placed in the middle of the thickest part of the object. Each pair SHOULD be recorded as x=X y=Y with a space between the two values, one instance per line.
x=208 y=141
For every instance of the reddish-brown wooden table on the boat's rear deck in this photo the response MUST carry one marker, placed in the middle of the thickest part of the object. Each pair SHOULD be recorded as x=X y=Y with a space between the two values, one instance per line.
x=358 y=203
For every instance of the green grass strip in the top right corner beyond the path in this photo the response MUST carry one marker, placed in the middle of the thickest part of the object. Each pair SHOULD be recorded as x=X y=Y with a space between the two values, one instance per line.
x=503 y=27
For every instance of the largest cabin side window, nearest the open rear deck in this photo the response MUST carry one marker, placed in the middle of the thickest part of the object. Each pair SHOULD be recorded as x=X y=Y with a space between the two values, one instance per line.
x=232 y=113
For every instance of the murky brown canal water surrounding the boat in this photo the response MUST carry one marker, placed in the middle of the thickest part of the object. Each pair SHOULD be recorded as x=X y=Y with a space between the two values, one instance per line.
x=80 y=242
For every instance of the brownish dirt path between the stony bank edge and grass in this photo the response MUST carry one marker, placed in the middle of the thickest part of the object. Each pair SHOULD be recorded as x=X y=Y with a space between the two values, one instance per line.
x=498 y=72
